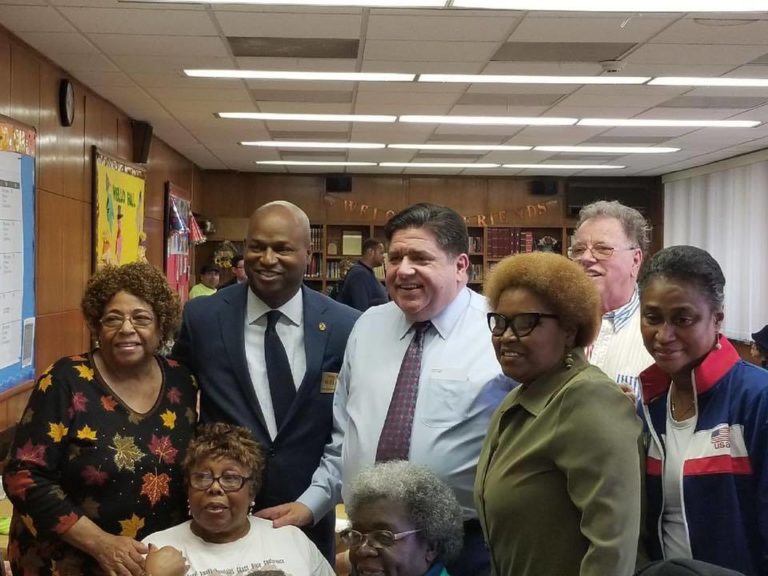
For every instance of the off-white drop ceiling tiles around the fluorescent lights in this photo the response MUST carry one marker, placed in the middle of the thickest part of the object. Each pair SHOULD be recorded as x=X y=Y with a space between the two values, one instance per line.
x=150 y=48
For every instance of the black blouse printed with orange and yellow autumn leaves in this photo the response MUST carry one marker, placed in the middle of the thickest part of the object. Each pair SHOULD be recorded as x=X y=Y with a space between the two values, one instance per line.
x=80 y=451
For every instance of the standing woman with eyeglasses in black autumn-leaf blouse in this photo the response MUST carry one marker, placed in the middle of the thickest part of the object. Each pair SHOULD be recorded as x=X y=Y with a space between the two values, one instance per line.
x=95 y=463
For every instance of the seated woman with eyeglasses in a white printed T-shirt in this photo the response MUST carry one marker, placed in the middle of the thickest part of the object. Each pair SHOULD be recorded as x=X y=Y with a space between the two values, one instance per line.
x=224 y=467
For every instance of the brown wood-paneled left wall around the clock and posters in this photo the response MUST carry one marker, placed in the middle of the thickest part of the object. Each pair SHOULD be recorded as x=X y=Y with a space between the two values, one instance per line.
x=29 y=86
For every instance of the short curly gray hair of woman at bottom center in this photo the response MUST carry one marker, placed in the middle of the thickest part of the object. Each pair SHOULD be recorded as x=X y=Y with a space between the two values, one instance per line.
x=430 y=504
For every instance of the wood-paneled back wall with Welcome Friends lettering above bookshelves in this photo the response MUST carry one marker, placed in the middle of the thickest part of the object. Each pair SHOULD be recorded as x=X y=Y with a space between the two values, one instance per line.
x=482 y=200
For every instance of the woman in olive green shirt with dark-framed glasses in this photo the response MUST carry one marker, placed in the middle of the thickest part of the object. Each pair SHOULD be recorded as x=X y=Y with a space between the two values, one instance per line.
x=558 y=482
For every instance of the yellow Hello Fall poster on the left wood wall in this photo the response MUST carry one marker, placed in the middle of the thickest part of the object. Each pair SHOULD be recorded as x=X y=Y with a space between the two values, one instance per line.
x=119 y=235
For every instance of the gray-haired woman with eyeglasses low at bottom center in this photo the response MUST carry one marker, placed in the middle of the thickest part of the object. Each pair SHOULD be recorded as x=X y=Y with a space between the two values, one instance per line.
x=405 y=522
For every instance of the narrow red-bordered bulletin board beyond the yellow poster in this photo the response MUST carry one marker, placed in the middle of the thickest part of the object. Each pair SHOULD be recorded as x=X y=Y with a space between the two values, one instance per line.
x=178 y=211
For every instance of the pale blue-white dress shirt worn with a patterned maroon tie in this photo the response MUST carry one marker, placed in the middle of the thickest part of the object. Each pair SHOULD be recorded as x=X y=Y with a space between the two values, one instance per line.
x=461 y=385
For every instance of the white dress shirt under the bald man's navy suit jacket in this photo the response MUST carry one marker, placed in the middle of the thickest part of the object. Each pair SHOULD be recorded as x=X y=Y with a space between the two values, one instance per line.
x=290 y=328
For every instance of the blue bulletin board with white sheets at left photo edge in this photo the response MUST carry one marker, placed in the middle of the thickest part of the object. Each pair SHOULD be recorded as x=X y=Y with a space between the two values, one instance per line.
x=17 y=253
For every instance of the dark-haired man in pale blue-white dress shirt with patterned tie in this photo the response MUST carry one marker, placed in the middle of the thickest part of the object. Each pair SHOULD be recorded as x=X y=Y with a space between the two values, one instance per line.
x=460 y=383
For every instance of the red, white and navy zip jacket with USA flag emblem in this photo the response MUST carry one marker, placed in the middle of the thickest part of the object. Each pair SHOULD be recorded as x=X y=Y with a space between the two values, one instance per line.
x=725 y=474
